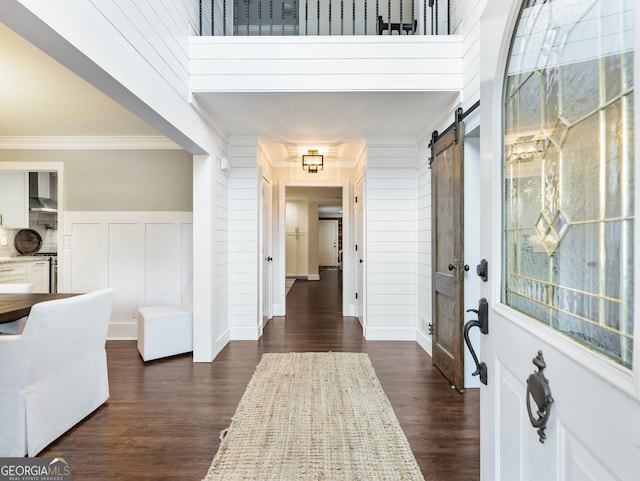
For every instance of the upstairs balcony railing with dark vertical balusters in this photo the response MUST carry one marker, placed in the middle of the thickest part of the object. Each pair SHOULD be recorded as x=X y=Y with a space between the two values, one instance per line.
x=324 y=17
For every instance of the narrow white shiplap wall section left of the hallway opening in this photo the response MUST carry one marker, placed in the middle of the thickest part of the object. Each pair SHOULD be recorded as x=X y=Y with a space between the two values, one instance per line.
x=243 y=223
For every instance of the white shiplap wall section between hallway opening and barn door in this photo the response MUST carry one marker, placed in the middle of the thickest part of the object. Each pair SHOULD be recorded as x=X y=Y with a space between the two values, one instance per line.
x=391 y=229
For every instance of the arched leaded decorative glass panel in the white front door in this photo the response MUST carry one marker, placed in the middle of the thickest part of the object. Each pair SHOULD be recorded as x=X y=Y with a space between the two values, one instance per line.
x=569 y=171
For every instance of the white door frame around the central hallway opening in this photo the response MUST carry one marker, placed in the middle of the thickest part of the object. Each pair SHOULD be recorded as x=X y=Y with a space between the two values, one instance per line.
x=348 y=296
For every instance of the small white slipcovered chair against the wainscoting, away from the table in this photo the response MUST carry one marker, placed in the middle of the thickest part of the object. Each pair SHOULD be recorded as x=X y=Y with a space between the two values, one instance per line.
x=167 y=329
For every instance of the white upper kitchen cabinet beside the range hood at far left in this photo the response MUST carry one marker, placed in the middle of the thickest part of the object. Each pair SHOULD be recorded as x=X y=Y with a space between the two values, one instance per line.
x=14 y=199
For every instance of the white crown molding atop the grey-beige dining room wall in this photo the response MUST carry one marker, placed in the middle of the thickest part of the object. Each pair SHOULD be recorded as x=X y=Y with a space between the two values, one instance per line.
x=116 y=142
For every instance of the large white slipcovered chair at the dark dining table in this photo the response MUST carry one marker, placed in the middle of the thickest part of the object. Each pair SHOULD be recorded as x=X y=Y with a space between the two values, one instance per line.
x=54 y=374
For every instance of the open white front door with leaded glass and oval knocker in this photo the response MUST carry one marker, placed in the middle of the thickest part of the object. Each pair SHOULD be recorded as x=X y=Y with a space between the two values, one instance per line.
x=557 y=230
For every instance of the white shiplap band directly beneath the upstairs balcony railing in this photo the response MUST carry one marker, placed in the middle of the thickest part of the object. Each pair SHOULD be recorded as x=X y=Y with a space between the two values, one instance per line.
x=347 y=63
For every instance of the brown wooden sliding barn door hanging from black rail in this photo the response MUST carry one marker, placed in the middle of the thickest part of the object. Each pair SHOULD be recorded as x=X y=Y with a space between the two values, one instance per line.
x=447 y=181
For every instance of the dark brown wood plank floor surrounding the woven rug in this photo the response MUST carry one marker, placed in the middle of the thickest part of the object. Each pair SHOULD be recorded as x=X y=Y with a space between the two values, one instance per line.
x=163 y=418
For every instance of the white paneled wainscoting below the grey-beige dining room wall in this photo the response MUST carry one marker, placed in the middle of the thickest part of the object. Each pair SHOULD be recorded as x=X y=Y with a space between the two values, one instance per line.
x=145 y=256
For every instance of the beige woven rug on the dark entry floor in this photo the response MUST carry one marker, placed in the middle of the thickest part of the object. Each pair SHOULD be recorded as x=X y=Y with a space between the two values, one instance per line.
x=314 y=416
